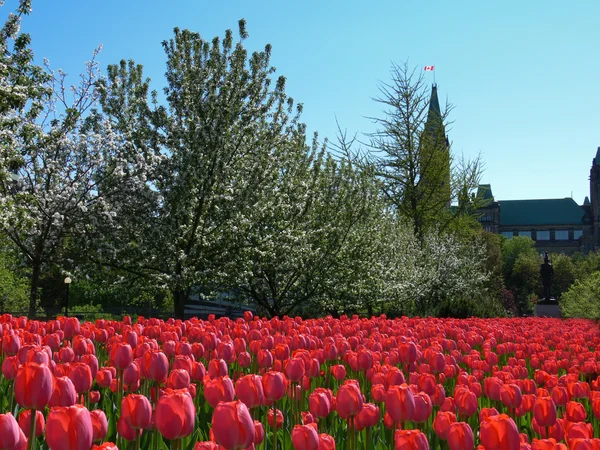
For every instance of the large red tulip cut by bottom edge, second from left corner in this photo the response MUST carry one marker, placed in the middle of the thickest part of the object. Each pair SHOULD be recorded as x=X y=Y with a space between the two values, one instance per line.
x=69 y=428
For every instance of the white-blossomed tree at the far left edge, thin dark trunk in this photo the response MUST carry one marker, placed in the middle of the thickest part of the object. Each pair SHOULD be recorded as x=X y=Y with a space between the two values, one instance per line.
x=55 y=166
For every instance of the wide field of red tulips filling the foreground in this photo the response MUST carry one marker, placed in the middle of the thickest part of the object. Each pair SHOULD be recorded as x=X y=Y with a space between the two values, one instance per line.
x=318 y=384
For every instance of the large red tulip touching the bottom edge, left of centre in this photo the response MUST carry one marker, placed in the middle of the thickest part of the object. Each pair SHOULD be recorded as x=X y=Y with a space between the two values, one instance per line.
x=233 y=426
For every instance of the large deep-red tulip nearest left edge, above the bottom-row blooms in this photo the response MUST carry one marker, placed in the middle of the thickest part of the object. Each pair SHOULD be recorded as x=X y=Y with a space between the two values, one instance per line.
x=33 y=386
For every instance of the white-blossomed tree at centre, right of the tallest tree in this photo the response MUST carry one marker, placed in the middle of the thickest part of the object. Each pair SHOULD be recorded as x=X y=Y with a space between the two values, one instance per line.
x=305 y=243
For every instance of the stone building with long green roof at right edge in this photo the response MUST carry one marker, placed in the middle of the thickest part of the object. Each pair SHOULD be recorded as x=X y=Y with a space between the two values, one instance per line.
x=557 y=225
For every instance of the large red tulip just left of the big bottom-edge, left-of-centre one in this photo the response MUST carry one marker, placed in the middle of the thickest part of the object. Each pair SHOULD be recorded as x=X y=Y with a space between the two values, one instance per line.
x=175 y=414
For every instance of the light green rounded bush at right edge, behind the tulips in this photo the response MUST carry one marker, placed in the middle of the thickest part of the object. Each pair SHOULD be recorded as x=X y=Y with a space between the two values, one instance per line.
x=583 y=298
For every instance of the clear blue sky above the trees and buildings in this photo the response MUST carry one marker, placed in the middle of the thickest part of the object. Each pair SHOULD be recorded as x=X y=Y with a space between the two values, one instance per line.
x=523 y=75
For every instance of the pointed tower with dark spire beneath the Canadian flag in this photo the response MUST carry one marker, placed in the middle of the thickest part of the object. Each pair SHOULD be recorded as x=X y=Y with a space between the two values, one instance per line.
x=435 y=153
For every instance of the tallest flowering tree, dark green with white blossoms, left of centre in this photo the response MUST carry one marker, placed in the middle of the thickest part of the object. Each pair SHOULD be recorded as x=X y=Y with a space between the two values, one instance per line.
x=215 y=142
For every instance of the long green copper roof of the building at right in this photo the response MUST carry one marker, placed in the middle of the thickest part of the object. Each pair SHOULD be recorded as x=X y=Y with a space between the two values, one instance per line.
x=559 y=211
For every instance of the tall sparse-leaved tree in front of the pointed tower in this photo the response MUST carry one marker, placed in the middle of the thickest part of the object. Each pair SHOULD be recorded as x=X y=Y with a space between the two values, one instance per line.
x=412 y=154
